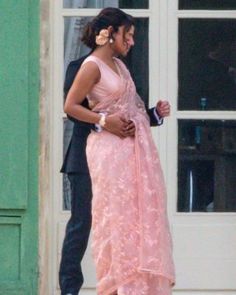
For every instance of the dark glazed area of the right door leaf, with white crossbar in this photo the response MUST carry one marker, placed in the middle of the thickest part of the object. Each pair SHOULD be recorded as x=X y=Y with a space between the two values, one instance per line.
x=206 y=105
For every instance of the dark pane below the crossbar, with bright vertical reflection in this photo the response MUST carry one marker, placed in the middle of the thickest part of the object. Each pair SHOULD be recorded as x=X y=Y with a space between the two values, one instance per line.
x=206 y=166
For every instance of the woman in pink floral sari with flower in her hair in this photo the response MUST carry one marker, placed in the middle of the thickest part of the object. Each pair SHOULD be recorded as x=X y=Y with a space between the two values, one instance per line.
x=131 y=240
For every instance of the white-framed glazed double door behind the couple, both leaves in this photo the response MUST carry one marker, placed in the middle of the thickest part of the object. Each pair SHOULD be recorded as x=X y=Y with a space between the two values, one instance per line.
x=197 y=144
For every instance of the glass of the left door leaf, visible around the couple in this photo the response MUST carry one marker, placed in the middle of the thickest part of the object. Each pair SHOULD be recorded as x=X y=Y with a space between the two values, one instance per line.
x=74 y=49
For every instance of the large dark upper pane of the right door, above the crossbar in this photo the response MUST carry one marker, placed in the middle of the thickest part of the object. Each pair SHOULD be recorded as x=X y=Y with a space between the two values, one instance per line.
x=207 y=64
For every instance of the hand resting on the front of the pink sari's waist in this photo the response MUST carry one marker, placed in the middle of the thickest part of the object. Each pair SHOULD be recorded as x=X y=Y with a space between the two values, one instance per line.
x=119 y=126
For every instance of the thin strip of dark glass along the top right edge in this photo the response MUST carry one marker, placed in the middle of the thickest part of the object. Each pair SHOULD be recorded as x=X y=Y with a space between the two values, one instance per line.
x=207 y=4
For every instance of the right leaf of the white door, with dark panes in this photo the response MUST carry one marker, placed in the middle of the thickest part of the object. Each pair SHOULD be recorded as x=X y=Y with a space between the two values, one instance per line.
x=201 y=144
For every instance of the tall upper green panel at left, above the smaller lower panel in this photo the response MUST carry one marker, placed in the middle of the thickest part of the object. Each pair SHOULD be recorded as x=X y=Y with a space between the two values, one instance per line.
x=14 y=104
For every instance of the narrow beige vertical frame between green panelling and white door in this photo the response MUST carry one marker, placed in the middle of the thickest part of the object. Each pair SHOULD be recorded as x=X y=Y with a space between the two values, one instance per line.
x=46 y=238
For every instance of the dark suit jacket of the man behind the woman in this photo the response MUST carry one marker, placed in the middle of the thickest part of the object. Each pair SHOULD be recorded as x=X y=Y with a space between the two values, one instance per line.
x=75 y=159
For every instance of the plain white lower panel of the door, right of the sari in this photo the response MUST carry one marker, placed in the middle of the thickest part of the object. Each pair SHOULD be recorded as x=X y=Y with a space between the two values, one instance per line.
x=205 y=256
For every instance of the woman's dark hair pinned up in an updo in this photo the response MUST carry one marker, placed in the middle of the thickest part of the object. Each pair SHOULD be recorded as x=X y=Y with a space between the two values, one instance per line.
x=109 y=16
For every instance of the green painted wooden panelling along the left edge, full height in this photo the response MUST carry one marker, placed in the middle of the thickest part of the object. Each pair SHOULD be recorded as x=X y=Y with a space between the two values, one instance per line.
x=19 y=108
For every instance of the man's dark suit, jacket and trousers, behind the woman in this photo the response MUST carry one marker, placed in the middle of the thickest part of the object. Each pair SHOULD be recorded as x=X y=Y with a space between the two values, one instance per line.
x=75 y=165
